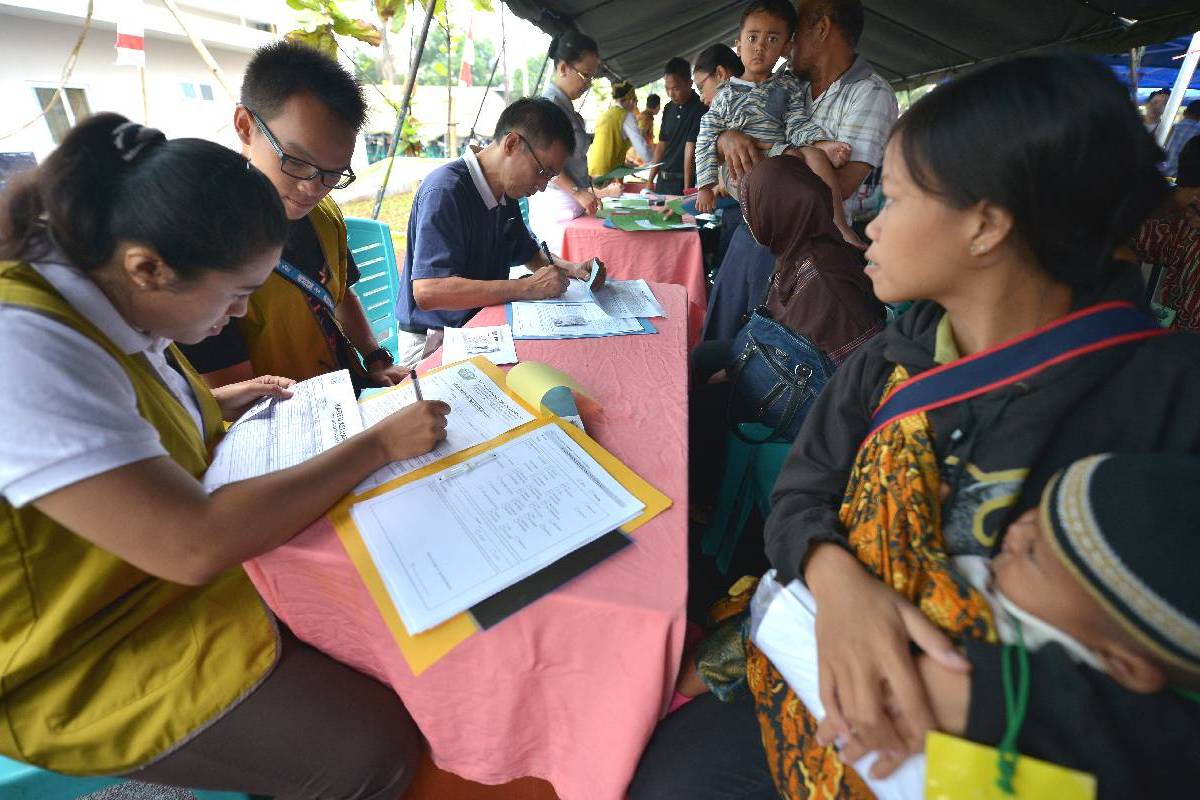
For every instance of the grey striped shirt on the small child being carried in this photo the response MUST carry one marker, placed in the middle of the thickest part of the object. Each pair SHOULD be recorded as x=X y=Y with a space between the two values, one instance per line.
x=776 y=111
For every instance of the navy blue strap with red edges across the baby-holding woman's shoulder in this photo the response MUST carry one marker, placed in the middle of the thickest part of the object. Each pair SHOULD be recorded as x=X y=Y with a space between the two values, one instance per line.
x=1091 y=329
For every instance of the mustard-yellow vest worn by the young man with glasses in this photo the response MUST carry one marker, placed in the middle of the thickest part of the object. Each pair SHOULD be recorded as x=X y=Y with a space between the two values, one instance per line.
x=281 y=334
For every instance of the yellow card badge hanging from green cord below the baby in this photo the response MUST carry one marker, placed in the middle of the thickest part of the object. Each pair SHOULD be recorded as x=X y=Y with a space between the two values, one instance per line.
x=957 y=769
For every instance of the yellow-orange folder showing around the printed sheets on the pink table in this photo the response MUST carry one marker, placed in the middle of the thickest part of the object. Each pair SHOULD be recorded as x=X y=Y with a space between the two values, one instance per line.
x=423 y=651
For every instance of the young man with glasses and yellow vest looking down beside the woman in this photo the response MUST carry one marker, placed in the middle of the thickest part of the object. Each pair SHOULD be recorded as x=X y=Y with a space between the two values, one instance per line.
x=298 y=122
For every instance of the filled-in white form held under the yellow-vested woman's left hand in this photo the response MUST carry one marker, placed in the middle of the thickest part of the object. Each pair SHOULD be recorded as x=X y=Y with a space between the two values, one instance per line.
x=275 y=435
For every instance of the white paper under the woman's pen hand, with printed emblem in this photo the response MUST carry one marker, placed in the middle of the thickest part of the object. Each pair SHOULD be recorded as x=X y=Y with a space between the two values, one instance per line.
x=479 y=411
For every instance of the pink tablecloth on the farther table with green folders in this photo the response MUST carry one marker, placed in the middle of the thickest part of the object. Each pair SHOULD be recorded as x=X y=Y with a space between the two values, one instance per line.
x=659 y=256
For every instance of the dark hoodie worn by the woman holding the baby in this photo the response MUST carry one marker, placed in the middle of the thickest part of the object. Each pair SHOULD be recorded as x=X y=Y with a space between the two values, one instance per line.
x=997 y=454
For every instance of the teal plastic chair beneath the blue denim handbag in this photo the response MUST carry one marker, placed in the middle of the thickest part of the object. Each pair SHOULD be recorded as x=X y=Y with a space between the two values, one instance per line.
x=749 y=477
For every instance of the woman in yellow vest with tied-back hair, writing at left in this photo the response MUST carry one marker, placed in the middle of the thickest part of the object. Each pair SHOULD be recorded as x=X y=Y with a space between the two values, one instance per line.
x=131 y=640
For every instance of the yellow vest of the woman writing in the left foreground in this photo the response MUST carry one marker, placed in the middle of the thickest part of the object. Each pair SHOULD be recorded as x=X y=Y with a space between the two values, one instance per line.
x=104 y=667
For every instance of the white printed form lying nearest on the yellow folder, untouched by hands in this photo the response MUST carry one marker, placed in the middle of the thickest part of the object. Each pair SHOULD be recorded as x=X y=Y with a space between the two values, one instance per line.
x=449 y=542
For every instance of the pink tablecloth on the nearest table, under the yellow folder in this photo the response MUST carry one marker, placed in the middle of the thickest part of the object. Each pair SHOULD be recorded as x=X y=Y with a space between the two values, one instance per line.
x=569 y=689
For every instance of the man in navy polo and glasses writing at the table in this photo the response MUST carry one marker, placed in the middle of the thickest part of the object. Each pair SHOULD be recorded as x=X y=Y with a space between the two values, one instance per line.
x=466 y=230
